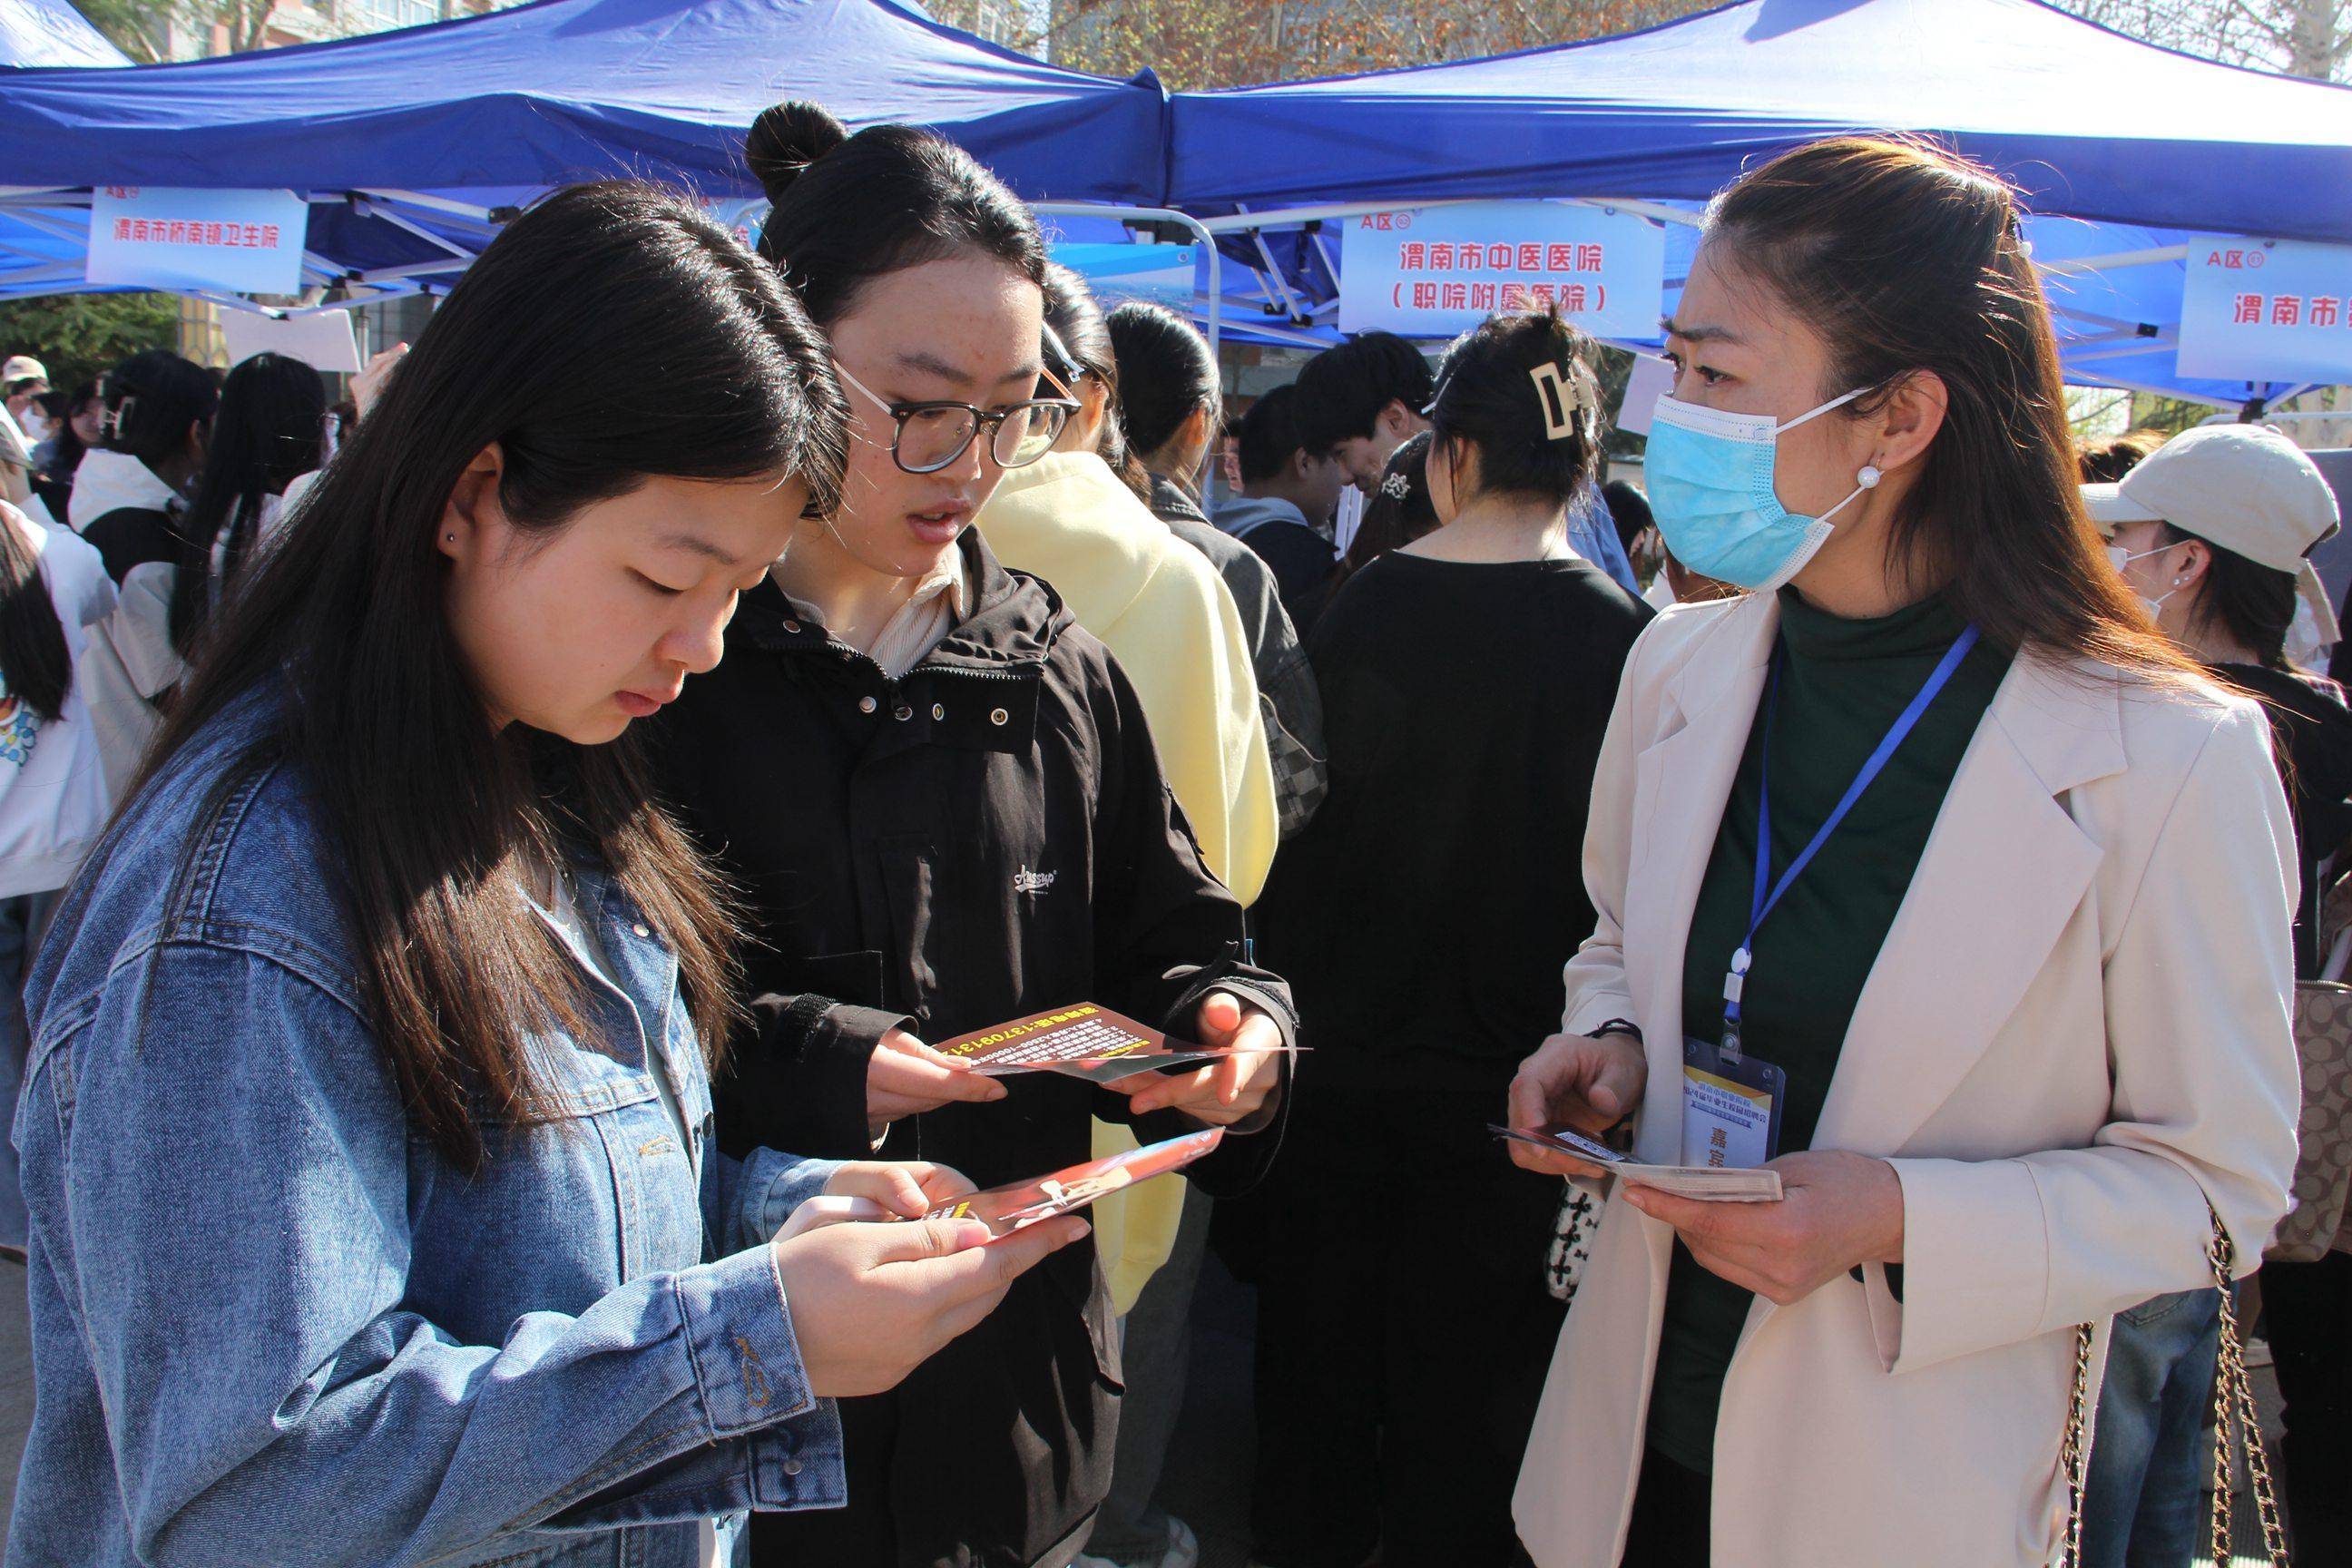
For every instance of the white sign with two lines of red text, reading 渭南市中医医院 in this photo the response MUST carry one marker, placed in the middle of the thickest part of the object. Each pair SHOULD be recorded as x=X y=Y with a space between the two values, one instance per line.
x=1438 y=272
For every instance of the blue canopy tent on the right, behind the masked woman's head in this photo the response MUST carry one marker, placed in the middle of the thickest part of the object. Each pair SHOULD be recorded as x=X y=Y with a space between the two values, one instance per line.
x=2130 y=149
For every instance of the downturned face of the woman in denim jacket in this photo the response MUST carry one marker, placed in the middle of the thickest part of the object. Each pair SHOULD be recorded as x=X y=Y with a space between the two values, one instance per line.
x=601 y=622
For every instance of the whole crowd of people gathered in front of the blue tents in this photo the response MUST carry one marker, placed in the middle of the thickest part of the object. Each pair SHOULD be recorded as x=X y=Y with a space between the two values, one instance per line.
x=481 y=859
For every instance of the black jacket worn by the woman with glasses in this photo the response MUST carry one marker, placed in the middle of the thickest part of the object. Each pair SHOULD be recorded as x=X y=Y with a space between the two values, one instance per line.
x=982 y=838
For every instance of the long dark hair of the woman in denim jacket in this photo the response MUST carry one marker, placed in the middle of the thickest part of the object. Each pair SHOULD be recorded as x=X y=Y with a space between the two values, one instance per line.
x=432 y=815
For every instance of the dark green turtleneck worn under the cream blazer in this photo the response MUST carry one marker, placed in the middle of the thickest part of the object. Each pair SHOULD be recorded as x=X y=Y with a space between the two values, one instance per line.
x=1843 y=685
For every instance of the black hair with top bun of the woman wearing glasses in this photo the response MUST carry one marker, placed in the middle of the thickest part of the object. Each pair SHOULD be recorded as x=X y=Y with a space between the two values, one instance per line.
x=848 y=210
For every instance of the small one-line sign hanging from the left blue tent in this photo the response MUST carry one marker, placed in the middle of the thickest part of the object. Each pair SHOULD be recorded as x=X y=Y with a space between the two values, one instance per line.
x=171 y=239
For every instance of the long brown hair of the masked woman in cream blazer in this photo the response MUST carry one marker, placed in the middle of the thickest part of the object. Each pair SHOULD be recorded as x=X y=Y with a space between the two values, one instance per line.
x=1904 y=260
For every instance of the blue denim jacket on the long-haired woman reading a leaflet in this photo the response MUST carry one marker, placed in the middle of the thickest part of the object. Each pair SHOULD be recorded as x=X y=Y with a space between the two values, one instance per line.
x=272 y=1325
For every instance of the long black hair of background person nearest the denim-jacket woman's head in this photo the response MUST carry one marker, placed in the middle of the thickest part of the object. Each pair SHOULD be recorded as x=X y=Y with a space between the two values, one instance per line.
x=262 y=441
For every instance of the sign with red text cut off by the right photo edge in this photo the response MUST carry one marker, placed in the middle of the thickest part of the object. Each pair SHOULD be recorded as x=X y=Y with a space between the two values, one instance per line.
x=2266 y=311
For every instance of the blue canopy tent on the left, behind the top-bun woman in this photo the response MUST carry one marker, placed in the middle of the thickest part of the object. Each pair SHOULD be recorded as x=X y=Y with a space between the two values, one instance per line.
x=408 y=145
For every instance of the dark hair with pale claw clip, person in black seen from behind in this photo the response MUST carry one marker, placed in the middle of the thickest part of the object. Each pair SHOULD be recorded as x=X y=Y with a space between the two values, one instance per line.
x=1521 y=394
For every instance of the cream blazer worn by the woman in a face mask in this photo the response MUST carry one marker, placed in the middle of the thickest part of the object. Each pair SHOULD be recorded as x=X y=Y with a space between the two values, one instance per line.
x=2076 y=1036
